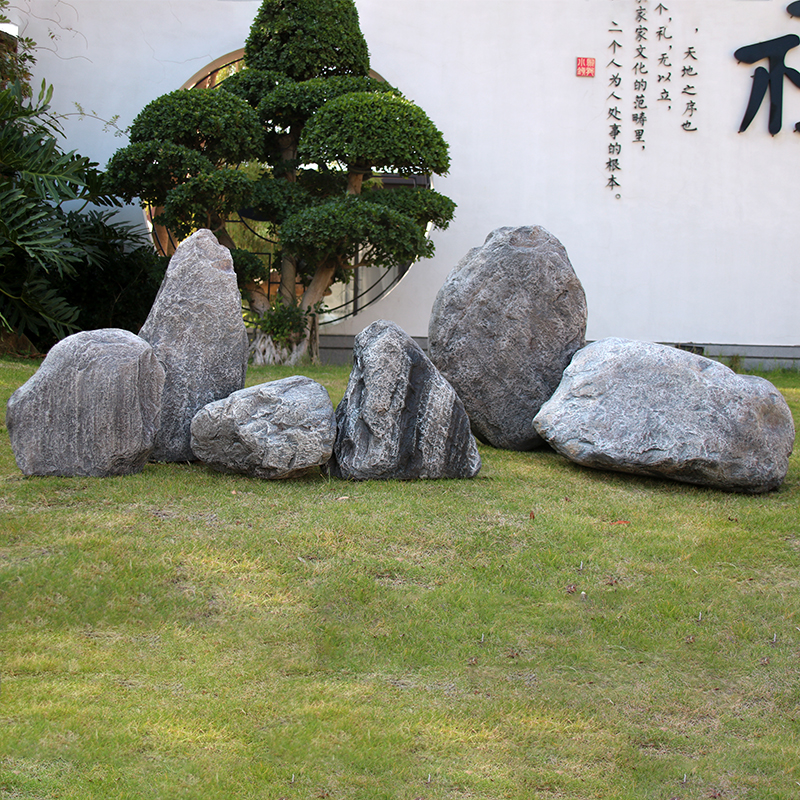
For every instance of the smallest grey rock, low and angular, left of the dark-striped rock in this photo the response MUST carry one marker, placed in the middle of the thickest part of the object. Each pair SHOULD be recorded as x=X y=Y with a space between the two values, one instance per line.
x=274 y=430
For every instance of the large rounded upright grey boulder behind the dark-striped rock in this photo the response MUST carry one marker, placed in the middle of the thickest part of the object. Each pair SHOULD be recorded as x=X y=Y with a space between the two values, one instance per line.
x=504 y=326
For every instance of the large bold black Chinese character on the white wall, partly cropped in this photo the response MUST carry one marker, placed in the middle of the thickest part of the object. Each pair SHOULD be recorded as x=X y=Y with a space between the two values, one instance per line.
x=775 y=50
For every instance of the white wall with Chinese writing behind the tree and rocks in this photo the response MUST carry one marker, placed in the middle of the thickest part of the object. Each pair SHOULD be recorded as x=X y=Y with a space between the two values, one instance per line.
x=699 y=246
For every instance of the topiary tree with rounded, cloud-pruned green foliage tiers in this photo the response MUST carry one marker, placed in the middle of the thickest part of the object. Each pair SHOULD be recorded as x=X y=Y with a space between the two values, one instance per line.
x=324 y=126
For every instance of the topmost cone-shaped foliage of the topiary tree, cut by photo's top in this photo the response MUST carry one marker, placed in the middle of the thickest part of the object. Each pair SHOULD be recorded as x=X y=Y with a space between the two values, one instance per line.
x=304 y=39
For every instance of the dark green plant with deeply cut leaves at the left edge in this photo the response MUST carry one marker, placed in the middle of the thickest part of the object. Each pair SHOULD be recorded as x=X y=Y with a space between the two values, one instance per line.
x=36 y=249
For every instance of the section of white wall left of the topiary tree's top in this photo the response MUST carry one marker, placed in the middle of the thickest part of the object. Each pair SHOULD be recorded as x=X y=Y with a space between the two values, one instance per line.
x=114 y=56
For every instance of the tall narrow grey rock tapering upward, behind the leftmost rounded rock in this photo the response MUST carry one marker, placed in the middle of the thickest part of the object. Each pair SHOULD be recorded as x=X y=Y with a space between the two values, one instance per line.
x=197 y=332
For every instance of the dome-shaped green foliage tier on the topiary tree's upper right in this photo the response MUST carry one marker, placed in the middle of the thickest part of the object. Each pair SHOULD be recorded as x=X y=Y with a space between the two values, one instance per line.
x=379 y=131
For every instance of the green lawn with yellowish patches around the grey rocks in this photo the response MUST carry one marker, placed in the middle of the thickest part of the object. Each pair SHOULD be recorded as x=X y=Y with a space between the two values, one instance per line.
x=186 y=634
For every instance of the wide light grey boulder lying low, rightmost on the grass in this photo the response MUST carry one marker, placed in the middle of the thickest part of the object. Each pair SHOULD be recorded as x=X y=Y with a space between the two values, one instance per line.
x=654 y=410
